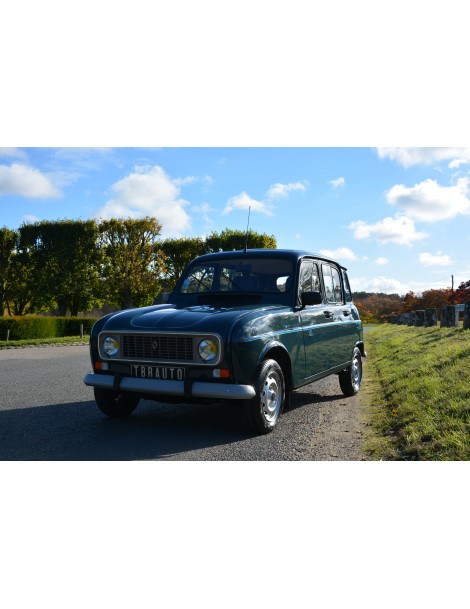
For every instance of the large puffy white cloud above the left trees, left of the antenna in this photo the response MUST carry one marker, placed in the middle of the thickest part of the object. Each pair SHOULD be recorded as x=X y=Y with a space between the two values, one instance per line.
x=149 y=191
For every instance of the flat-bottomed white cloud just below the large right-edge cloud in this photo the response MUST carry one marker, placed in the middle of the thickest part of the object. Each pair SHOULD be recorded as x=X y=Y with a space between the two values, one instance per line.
x=389 y=230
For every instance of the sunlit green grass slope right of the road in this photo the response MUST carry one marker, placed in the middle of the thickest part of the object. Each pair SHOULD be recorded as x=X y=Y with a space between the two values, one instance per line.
x=419 y=393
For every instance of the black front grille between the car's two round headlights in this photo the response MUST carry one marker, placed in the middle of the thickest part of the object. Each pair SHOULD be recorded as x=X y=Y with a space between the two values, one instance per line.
x=166 y=348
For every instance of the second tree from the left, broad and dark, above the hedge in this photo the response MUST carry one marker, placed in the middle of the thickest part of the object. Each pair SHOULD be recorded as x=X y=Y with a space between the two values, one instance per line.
x=66 y=259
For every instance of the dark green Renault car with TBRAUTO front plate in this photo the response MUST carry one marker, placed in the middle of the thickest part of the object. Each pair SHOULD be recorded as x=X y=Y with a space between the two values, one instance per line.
x=249 y=326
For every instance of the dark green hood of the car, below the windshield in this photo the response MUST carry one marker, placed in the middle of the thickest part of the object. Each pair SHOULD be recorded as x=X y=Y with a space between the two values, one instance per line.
x=200 y=318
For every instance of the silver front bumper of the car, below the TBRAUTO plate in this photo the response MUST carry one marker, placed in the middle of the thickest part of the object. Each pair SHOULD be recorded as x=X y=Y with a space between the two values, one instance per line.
x=198 y=389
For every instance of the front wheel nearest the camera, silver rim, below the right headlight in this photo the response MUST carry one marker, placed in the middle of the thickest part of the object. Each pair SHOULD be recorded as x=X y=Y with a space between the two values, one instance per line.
x=263 y=411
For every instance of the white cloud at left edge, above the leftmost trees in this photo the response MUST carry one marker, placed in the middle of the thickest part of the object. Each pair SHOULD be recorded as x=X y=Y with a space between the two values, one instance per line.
x=26 y=181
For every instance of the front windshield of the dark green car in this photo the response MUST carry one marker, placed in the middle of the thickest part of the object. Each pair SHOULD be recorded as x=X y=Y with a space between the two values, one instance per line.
x=255 y=276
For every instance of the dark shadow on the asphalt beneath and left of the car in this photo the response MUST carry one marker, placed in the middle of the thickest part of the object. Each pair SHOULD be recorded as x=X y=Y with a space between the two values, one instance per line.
x=78 y=431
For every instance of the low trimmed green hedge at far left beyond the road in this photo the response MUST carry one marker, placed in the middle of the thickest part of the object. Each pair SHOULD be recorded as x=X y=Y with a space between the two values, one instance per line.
x=37 y=326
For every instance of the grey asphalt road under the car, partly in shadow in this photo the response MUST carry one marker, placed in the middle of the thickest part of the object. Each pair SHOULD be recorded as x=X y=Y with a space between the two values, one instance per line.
x=47 y=413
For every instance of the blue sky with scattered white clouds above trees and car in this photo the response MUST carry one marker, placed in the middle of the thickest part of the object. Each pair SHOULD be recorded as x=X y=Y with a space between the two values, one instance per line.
x=397 y=218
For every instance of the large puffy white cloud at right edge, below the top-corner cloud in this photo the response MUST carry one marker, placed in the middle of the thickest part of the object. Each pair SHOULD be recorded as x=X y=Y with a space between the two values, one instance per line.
x=430 y=202
